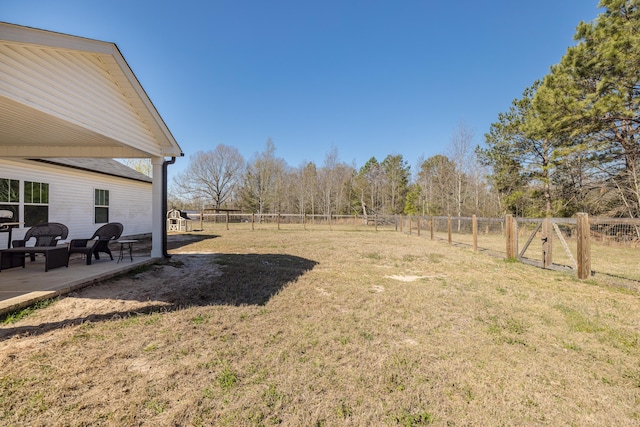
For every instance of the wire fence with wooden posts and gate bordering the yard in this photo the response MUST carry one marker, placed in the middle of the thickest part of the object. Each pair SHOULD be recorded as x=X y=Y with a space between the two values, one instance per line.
x=614 y=243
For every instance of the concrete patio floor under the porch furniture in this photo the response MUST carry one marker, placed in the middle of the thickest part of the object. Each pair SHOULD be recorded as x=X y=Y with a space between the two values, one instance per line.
x=20 y=287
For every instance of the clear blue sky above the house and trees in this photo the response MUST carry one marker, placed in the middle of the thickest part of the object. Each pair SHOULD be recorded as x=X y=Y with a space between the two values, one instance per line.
x=370 y=78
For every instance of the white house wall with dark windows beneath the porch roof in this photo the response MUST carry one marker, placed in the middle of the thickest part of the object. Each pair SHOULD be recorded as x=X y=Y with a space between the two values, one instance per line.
x=81 y=193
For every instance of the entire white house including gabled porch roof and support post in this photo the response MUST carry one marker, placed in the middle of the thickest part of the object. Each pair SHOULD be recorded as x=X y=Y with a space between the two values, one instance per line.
x=63 y=96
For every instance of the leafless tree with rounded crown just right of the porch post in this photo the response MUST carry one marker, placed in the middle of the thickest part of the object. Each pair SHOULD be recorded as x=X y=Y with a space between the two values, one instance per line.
x=212 y=176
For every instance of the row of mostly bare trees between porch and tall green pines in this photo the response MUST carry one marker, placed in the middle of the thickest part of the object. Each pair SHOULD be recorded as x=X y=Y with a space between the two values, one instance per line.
x=453 y=184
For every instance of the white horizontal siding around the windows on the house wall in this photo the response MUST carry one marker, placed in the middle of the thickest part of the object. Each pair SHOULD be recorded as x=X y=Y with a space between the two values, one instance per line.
x=72 y=197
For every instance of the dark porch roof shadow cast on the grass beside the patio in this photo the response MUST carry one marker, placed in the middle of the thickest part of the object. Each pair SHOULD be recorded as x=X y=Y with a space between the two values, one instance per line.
x=230 y=279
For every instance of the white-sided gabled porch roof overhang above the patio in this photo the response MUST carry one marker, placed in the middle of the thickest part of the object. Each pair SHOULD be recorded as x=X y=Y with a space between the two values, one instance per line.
x=67 y=96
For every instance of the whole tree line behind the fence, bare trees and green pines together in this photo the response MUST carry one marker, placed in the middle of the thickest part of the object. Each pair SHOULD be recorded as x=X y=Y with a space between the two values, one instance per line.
x=569 y=144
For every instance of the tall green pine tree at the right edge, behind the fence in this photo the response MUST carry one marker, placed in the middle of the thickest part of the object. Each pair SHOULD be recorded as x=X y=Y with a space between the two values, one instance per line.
x=593 y=95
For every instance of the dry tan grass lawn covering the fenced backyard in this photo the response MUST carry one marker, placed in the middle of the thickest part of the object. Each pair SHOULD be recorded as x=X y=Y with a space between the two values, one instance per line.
x=328 y=328
